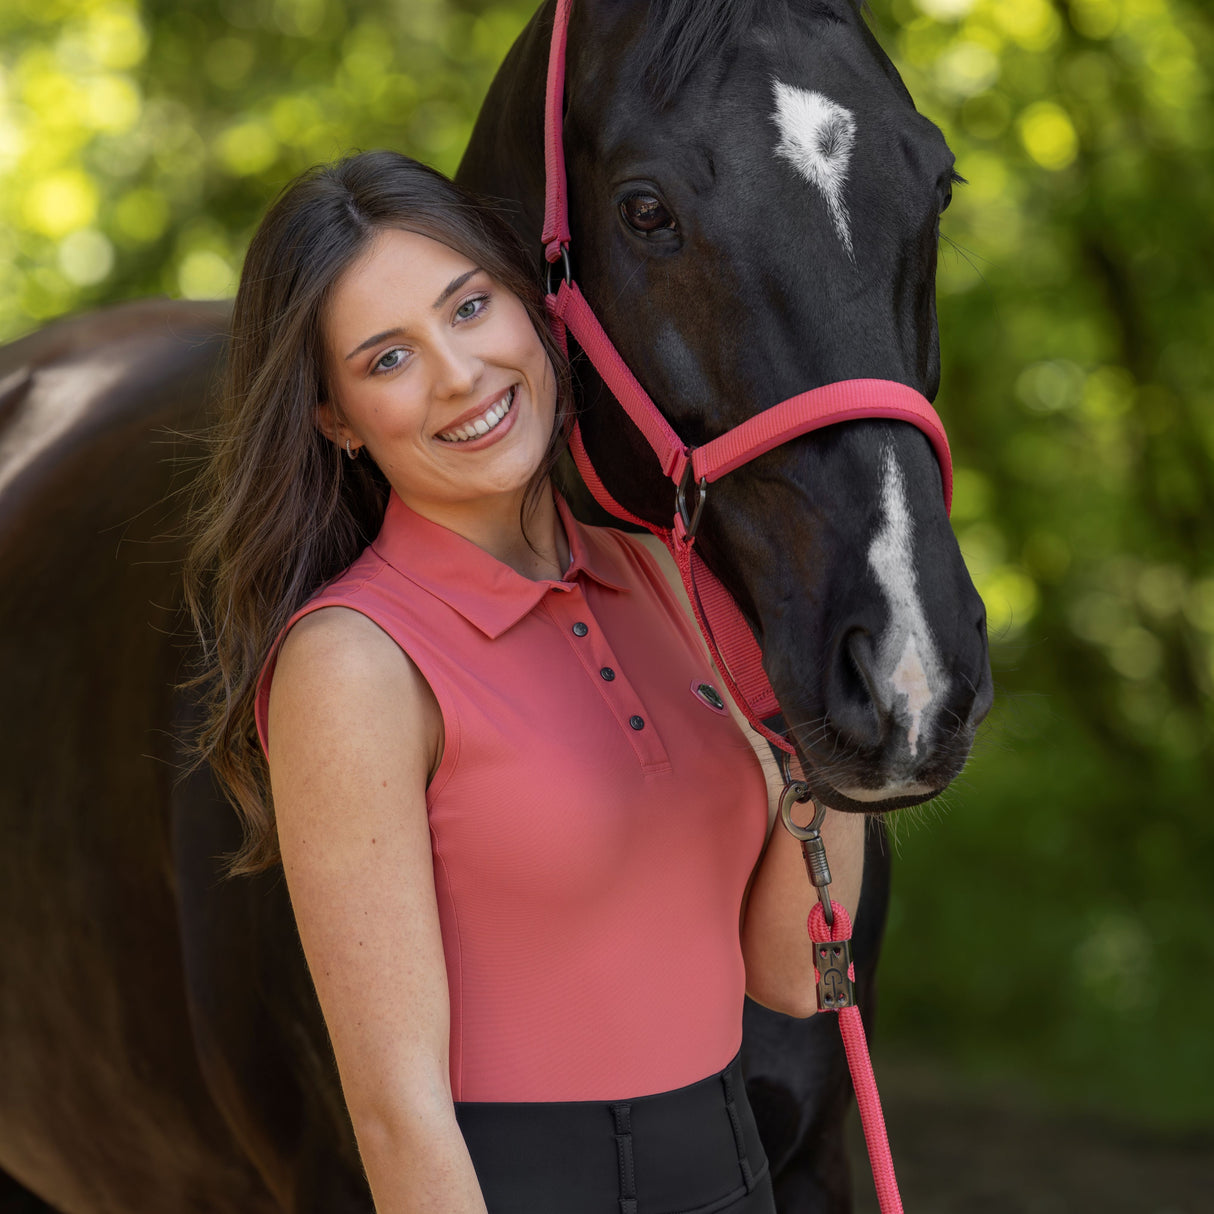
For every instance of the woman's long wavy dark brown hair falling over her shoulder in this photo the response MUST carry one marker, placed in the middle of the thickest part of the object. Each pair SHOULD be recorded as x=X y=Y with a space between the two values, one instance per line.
x=280 y=510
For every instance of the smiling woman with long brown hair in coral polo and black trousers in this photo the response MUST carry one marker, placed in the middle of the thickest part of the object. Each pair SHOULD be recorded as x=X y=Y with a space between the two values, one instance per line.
x=517 y=830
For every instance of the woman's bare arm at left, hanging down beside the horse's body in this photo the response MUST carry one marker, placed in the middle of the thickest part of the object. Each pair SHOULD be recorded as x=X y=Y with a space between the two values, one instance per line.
x=355 y=733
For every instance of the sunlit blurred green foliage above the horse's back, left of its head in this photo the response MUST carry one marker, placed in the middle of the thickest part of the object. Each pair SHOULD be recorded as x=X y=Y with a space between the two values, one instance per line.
x=140 y=140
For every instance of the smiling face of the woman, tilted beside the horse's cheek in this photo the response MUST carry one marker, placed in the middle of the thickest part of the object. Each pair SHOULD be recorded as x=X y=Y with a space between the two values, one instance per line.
x=439 y=372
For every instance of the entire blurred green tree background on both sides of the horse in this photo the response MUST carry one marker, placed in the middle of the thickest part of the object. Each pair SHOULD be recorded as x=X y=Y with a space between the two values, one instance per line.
x=1054 y=918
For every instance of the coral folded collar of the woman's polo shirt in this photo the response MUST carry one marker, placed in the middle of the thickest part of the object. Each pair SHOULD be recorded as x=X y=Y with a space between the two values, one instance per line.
x=485 y=592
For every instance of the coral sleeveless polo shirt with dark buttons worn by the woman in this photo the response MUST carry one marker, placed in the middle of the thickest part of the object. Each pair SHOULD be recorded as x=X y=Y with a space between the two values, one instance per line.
x=594 y=820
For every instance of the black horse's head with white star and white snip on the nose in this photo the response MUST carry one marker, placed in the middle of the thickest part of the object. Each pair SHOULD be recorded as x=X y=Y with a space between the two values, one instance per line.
x=755 y=208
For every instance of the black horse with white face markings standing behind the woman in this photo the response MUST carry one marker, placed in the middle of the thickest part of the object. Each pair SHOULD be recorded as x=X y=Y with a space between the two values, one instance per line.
x=755 y=206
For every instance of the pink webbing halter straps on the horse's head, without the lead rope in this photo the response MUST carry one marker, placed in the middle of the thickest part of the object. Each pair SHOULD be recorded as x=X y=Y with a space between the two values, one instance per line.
x=736 y=654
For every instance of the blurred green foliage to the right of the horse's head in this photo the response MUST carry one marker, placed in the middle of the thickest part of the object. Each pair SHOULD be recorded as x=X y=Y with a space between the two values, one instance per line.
x=1056 y=923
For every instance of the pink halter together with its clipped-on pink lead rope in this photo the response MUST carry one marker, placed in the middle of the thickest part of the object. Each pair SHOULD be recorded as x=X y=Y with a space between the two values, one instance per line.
x=729 y=637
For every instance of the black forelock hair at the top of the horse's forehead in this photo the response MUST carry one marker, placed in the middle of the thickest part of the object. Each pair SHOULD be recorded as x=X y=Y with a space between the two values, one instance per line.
x=684 y=33
